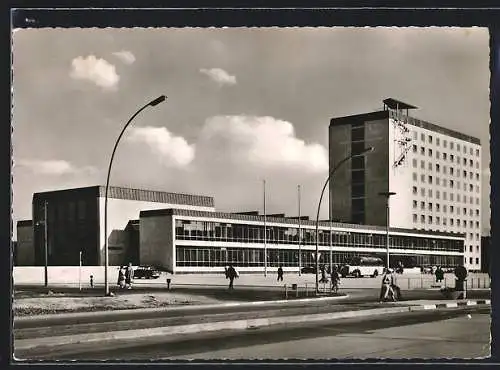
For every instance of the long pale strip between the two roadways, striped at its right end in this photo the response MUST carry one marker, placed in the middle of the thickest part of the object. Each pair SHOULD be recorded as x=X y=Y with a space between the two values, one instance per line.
x=66 y=341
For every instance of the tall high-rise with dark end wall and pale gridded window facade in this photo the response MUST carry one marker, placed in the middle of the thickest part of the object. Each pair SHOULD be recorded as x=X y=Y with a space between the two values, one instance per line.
x=434 y=172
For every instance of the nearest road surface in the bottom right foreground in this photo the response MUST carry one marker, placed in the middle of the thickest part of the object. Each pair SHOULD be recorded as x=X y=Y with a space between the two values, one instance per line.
x=448 y=333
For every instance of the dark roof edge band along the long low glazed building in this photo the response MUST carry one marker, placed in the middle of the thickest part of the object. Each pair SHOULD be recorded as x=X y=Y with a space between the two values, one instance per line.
x=286 y=220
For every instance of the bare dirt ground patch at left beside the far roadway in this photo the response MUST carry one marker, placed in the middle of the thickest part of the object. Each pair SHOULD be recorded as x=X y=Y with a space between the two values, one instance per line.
x=39 y=304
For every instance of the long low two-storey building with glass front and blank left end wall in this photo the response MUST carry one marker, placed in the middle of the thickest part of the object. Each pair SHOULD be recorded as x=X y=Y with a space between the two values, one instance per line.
x=184 y=241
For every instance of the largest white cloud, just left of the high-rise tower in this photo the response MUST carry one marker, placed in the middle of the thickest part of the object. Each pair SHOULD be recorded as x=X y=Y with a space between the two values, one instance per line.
x=263 y=142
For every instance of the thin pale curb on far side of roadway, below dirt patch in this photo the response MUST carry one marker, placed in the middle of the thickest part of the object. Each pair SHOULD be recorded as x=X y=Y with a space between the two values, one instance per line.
x=290 y=302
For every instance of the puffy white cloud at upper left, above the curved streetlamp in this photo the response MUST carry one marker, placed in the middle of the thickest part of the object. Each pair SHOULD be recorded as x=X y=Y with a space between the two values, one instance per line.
x=96 y=70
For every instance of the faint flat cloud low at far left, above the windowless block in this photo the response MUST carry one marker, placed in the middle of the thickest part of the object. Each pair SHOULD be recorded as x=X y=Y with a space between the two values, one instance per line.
x=55 y=167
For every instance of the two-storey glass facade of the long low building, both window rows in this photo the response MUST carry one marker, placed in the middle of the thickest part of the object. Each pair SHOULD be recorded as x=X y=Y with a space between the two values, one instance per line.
x=211 y=256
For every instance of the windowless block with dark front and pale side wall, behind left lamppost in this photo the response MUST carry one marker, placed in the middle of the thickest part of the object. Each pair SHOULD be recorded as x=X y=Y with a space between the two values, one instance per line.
x=75 y=222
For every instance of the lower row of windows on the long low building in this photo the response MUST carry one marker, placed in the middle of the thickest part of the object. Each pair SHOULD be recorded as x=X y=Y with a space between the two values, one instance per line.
x=251 y=257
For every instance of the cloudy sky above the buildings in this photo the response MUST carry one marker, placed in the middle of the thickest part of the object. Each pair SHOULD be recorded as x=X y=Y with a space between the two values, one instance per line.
x=244 y=105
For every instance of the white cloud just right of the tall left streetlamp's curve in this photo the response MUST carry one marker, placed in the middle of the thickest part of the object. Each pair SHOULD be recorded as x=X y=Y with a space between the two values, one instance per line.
x=172 y=150
